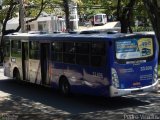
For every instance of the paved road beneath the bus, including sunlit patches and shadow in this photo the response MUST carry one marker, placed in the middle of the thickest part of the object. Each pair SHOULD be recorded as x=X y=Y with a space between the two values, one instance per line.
x=27 y=101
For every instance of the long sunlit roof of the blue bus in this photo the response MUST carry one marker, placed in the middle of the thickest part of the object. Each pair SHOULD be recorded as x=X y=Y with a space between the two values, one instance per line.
x=68 y=36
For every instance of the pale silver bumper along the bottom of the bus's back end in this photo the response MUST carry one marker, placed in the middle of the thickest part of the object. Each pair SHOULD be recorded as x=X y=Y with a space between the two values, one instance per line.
x=114 y=92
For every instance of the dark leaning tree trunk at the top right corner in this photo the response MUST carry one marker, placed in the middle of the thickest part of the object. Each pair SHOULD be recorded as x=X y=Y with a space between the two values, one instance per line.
x=153 y=9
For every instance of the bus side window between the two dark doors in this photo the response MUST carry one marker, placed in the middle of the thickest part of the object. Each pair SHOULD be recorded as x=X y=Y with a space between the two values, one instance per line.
x=34 y=50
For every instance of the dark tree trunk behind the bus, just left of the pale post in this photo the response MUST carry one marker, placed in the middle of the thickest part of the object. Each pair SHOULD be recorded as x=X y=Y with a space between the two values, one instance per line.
x=66 y=10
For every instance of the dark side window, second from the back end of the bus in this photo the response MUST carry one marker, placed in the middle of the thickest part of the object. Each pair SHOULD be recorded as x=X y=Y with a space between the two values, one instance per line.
x=82 y=53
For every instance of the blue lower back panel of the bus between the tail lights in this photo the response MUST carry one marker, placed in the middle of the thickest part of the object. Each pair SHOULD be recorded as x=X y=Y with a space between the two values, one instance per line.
x=135 y=76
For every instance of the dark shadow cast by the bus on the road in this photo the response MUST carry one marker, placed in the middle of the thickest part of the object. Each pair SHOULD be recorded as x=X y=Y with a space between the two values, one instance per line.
x=73 y=105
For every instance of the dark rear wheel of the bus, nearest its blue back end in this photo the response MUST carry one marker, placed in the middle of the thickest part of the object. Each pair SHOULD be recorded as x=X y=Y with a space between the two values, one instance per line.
x=64 y=86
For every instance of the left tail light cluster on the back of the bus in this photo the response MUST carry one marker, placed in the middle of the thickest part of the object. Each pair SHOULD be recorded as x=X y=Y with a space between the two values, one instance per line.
x=115 y=80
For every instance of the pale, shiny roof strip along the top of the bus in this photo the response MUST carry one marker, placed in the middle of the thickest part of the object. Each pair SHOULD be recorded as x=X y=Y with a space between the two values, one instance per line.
x=67 y=35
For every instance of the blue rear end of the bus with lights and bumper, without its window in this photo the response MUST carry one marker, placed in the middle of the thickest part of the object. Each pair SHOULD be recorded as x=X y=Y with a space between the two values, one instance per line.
x=135 y=76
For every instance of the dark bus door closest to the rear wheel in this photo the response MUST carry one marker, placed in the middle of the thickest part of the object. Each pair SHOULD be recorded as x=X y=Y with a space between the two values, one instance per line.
x=45 y=56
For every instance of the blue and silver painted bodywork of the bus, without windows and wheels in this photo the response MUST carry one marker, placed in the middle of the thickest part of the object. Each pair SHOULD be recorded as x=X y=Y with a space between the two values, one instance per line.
x=86 y=78
